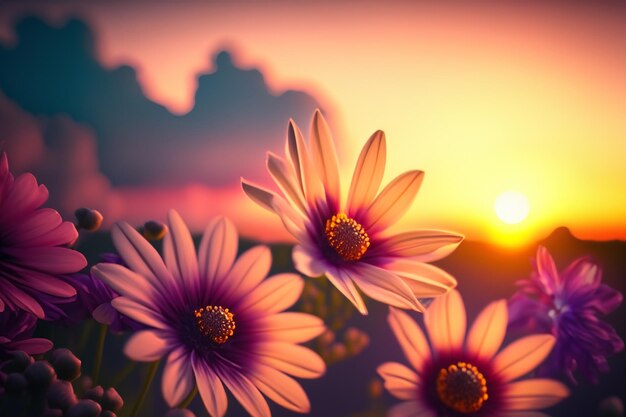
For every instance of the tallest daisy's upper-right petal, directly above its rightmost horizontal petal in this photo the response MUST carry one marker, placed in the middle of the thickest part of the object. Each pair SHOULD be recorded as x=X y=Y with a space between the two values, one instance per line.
x=394 y=200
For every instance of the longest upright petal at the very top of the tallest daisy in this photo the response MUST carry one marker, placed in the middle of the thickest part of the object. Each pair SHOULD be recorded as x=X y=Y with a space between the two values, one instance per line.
x=325 y=155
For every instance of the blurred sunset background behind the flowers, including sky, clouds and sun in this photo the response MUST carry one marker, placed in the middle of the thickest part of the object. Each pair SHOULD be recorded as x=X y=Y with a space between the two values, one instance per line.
x=515 y=111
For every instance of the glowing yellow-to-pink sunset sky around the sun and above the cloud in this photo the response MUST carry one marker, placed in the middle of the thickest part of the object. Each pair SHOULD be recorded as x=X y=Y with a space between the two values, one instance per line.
x=485 y=97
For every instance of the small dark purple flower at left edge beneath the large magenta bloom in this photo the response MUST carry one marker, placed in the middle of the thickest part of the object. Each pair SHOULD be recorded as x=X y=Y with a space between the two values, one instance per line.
x=16 y=330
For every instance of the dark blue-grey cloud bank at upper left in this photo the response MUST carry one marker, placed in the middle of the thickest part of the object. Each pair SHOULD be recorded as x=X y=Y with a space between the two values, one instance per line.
x=235 y=119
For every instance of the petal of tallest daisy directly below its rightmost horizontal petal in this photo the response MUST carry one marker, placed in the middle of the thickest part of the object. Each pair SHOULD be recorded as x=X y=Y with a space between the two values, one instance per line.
x=424 y=280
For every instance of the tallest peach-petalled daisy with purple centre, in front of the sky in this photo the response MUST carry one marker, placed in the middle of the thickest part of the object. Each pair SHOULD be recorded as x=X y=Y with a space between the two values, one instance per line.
x=350 y=243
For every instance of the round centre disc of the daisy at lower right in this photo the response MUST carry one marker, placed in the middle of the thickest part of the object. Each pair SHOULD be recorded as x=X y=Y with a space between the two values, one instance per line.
x=462 y=387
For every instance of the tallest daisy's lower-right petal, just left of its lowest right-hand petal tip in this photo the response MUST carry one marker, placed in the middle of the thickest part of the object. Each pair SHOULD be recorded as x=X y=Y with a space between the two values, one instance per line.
x=384 y=286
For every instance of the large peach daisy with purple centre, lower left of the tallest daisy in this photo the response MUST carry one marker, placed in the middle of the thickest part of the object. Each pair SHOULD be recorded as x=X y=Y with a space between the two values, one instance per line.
x=215 y=318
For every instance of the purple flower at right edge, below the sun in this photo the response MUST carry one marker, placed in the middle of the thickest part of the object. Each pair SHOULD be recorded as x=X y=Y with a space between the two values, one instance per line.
x=568 y=304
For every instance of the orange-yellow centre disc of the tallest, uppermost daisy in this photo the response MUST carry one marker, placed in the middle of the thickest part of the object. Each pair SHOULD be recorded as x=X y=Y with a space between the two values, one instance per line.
x=347 y=237
